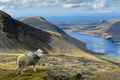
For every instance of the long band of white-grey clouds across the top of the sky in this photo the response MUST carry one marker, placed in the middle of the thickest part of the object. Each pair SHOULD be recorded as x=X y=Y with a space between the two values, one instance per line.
x=67 y=4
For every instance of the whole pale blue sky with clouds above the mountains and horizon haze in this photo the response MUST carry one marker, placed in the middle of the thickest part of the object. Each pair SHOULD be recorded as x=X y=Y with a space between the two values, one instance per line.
x=58 y=7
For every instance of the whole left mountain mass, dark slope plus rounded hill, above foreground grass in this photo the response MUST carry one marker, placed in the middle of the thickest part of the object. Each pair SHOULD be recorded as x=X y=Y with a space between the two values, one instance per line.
x=31 y=33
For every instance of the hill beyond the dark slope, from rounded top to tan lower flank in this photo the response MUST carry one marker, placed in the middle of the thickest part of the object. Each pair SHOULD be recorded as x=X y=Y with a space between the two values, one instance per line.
x=63 y=41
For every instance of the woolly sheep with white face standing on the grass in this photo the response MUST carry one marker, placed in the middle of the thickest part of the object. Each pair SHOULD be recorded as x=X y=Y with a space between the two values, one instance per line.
x=30 y=59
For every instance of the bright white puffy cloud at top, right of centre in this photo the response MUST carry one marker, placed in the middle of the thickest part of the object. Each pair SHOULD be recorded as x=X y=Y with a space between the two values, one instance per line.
x=93 y=5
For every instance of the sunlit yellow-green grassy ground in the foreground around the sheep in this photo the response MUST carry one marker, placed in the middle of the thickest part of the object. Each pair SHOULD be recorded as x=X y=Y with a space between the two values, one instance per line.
x=73 y=63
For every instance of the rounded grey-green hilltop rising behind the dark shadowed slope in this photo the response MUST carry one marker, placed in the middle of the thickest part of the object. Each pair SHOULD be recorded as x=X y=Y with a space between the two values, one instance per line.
x=40 y=23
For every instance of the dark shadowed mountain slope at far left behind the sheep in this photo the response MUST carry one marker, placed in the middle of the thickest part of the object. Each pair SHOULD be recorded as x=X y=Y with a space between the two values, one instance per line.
x=17 y=35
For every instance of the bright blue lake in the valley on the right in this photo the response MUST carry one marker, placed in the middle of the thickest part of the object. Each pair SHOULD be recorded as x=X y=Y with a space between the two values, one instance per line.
x=97 y=44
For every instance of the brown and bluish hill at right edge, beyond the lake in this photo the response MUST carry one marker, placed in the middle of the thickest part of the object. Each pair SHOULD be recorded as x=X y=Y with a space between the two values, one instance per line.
x=109 y=29
